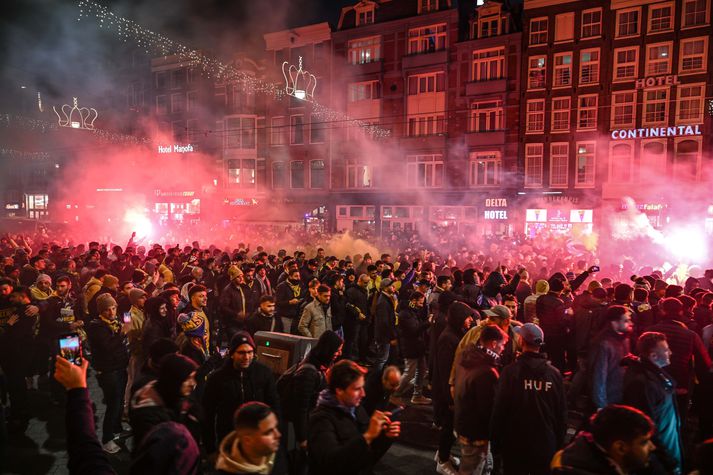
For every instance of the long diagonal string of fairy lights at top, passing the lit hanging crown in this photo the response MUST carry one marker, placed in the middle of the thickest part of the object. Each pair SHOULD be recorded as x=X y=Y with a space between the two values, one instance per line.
x=154 y=43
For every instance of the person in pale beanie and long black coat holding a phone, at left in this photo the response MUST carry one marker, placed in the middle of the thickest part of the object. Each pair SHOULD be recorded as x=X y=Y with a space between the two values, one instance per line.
x=107 y=337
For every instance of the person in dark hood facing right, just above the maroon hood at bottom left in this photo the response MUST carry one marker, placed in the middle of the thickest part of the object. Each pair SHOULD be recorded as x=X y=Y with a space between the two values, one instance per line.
x=165 y=399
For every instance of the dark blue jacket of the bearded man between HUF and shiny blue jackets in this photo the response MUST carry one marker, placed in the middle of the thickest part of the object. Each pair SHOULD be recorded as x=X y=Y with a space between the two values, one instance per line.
x=607 y=374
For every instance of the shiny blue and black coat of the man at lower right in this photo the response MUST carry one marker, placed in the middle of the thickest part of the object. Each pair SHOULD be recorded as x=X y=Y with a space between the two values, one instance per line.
x=652 y=390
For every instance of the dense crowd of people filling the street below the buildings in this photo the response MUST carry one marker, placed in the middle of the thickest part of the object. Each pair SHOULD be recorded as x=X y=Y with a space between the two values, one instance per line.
x=504 y=342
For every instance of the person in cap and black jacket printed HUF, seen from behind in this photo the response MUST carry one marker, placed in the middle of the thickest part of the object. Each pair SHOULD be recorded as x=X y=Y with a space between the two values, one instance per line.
x=530 y=400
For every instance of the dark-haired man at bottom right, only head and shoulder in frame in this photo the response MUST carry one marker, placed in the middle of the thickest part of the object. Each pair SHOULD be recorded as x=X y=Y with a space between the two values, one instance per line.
x=619 y=442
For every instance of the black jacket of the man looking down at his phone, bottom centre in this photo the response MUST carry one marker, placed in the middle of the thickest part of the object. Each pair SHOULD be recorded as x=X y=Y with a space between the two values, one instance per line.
x=336 y=444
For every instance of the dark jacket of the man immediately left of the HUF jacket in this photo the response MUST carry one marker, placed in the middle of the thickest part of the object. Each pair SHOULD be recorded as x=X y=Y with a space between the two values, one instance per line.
x=476 y=380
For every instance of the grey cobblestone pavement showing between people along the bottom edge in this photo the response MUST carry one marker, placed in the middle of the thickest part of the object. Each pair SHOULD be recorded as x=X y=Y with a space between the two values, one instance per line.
x=41 y=450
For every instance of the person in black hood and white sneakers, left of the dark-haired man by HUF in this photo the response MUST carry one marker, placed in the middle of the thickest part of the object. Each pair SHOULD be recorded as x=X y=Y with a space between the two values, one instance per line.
x=459 y=320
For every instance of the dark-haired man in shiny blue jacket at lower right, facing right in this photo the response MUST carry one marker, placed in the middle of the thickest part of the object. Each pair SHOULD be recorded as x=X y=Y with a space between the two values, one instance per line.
x=649 y=388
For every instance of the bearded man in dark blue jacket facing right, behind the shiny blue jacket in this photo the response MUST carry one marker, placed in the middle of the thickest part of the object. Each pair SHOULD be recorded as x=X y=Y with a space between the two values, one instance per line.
x=610 y=348
